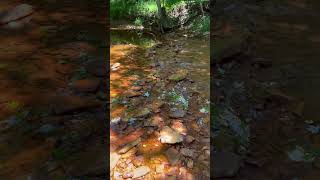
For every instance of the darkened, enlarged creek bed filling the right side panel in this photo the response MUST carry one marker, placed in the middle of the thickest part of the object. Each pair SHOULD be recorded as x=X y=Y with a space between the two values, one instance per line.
x=265 y=91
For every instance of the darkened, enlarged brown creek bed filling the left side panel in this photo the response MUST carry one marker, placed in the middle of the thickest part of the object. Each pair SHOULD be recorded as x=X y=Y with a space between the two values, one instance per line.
x=53 y=92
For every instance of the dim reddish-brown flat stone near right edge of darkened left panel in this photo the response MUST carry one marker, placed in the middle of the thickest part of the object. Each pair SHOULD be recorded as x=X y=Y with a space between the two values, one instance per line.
x=86 y=85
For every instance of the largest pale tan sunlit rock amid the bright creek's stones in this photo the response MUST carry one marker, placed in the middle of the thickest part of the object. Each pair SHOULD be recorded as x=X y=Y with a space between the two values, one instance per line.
x=170 y=136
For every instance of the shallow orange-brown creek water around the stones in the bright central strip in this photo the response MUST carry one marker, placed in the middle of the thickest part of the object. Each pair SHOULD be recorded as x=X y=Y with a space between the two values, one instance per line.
x=133 y=51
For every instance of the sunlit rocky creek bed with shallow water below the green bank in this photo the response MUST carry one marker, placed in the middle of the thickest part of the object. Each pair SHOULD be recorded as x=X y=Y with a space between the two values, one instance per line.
x=159 y=106
